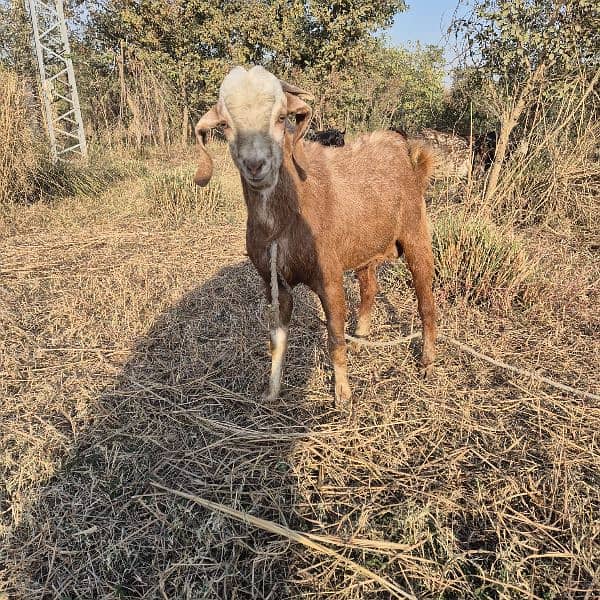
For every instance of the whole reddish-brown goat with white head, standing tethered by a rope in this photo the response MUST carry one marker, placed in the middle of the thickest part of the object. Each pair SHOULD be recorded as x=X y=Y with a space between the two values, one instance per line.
x=329 y=209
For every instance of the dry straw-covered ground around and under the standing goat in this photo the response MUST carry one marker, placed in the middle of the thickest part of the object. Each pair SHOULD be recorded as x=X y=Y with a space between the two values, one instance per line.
x=134 y=353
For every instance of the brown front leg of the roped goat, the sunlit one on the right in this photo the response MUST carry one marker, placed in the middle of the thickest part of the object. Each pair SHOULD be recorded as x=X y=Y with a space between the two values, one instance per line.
x=334 y=305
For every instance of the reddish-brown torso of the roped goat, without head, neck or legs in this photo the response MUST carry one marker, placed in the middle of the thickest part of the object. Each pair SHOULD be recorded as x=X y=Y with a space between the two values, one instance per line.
x=363 y=197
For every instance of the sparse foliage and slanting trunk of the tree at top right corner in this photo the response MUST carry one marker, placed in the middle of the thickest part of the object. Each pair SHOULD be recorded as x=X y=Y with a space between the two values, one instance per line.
x=524 y=56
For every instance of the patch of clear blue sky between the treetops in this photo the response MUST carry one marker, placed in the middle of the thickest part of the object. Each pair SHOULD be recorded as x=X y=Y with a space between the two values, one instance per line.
x=425 y=21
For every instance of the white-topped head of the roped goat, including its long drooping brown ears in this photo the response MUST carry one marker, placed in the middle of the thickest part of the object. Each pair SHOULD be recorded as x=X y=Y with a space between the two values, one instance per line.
x=252 y=109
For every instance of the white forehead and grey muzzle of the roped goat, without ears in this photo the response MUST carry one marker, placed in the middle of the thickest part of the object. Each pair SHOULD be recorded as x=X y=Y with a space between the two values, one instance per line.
x=252 y=102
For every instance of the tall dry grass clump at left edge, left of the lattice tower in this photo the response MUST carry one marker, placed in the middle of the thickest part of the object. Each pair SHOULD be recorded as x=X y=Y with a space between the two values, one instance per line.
x=18 y=153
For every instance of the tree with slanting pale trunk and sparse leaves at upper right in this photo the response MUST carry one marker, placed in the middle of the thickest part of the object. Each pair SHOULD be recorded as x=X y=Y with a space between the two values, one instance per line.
x=520 y=46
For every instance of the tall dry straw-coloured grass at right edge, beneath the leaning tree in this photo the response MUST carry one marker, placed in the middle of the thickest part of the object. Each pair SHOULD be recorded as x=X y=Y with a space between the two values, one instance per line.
x=554 y=171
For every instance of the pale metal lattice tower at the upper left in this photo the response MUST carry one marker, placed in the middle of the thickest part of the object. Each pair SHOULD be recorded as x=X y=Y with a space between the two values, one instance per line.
x=59 y=90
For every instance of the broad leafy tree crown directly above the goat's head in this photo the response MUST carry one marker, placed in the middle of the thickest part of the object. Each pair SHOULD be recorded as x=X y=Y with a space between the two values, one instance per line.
x=196 y=42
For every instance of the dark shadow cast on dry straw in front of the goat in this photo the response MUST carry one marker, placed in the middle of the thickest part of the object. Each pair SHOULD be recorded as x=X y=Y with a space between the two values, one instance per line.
x=186 y=411
